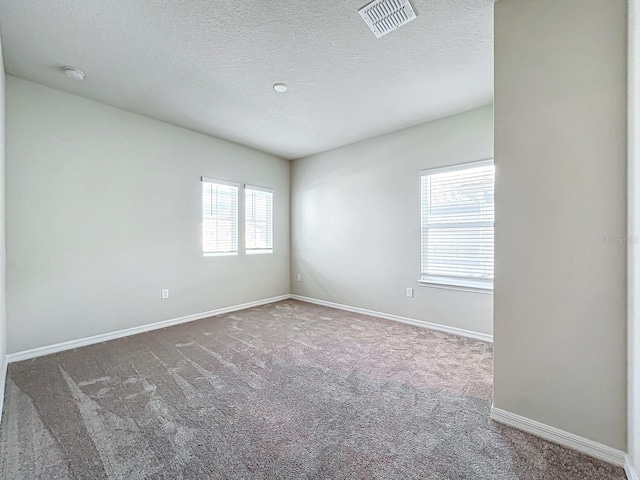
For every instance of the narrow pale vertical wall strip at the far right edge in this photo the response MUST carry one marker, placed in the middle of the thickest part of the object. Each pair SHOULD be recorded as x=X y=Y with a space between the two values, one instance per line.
x=633 y=261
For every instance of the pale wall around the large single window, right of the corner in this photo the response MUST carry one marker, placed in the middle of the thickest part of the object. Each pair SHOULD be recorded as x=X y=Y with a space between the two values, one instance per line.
x=356 y=221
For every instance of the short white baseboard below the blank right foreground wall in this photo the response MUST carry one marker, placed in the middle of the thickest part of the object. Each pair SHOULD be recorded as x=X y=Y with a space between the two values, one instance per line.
x=555 y=435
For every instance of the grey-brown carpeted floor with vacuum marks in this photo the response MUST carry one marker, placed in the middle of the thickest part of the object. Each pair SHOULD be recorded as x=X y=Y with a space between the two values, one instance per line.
x=284 y=391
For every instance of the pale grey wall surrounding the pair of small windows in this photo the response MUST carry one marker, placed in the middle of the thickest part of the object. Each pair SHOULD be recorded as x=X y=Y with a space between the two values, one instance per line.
x=104 y=210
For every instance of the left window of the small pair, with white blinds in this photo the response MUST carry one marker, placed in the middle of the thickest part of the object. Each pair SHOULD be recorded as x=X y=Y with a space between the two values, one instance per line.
x=219 y=217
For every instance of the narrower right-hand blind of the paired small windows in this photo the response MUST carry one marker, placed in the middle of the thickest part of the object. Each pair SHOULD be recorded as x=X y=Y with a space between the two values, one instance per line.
x=258 y=220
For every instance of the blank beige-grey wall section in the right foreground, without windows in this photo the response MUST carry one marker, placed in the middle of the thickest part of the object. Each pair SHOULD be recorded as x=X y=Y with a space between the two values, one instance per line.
x=560 y=155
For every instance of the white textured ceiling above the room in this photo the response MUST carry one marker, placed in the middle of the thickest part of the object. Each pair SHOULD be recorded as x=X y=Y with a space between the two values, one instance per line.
x=209 y=66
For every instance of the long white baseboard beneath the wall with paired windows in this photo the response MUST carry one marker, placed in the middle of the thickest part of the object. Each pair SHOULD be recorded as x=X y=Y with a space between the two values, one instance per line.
x=83 y=342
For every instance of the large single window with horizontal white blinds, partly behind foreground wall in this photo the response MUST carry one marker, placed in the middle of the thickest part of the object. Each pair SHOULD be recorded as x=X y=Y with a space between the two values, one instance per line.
x=457 y=225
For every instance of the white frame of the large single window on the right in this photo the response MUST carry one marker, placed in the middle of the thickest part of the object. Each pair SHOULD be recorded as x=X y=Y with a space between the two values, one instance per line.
x=452 y=282
